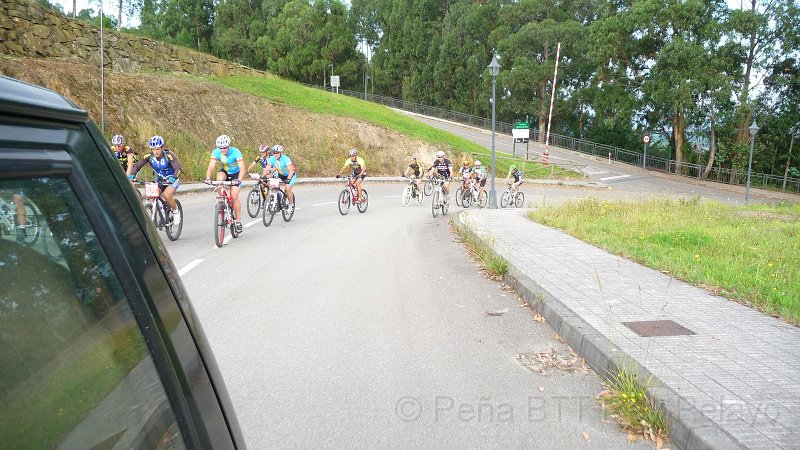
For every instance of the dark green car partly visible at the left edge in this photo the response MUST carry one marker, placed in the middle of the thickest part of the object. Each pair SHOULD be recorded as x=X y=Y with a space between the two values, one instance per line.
x=99 y=344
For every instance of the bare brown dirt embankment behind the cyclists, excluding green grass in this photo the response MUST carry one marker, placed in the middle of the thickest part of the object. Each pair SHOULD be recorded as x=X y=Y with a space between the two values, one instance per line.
x=191 y=113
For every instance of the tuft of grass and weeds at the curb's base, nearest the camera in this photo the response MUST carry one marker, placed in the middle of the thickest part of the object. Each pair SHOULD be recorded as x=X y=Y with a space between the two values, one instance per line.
x=628 y=402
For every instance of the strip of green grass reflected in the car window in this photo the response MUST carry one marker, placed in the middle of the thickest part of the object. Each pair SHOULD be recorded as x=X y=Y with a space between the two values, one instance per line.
x=71 y=391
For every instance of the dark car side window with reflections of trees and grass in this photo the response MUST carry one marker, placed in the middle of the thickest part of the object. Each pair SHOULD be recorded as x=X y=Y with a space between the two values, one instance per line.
x=74 y=368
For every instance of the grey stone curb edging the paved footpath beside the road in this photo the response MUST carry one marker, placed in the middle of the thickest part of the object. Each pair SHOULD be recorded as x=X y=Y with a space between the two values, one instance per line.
x=688 y=427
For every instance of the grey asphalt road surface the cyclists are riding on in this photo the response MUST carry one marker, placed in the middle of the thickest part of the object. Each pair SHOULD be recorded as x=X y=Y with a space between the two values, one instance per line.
x=372 y=330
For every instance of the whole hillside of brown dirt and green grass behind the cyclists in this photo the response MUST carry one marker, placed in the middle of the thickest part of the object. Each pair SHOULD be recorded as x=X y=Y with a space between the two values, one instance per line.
x=316 y=128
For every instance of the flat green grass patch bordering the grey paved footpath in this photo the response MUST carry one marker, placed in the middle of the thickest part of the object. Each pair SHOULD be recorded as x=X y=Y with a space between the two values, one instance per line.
x=750 y=254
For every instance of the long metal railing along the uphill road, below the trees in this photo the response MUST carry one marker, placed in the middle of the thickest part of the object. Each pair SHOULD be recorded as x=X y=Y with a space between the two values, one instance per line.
x=691 y=170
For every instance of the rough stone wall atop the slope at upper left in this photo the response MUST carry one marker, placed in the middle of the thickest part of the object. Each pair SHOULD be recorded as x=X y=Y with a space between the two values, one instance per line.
x=30 y=30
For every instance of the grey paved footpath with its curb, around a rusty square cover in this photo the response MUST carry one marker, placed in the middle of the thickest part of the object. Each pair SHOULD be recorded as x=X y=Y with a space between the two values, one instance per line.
x=734 y=383
